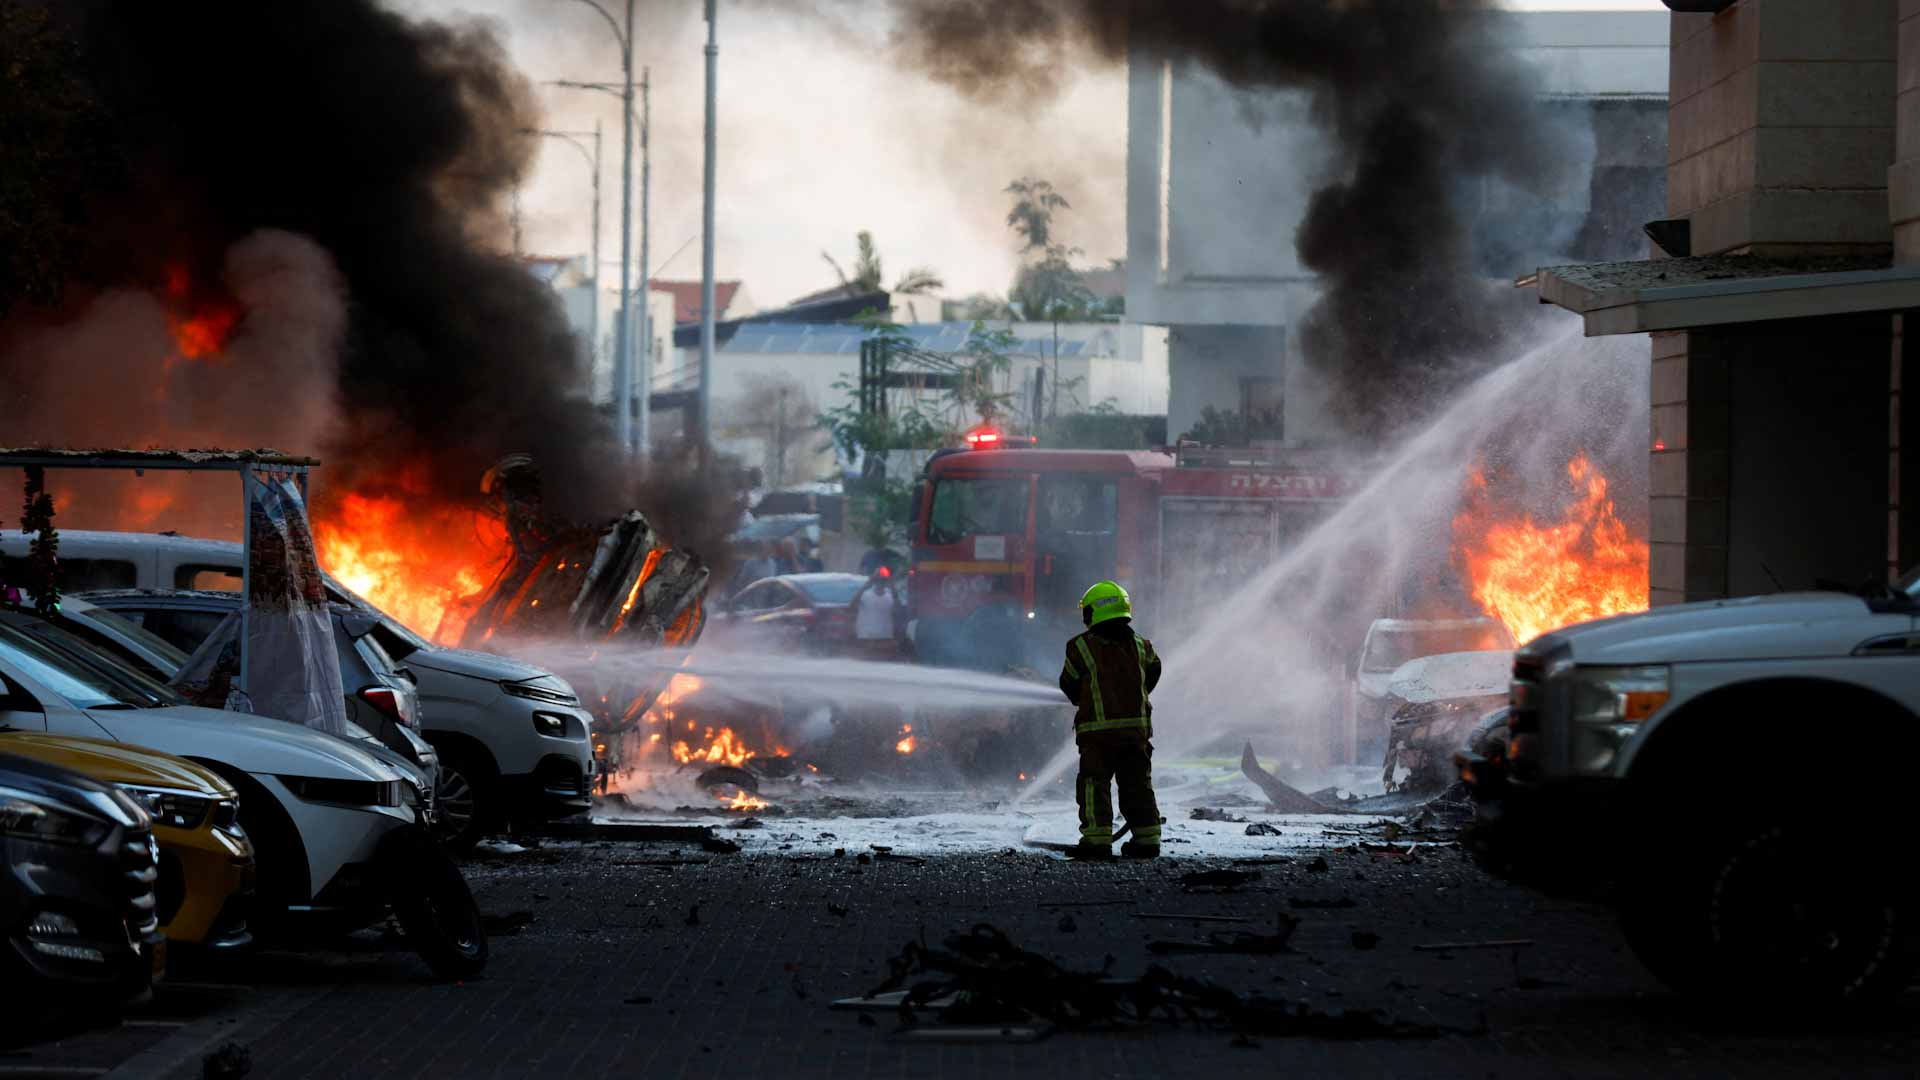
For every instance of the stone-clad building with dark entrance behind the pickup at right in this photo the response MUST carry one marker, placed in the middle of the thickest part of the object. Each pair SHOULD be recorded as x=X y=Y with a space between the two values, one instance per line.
x=1777 y=328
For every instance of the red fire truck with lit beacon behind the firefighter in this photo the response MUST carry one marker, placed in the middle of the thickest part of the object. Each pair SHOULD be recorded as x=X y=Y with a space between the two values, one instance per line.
x=1007 y=539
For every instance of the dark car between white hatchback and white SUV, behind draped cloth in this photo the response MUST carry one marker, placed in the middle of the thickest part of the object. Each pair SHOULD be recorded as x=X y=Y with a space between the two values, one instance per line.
x=379 y=695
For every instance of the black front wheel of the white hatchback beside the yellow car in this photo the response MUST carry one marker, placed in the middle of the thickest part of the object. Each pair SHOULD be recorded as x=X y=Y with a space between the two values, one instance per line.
x=433 y=904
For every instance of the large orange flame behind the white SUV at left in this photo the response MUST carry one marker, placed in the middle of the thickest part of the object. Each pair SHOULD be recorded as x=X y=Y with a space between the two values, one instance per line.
x=421 y=562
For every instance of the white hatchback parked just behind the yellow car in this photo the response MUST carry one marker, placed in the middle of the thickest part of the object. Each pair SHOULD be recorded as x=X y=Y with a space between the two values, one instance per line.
x=339 y=833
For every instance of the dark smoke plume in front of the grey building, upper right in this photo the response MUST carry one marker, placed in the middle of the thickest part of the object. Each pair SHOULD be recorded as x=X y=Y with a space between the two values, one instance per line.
x=1420 y=97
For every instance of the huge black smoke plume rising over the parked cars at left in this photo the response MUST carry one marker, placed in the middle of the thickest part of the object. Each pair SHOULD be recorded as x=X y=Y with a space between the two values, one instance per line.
x=358 y=139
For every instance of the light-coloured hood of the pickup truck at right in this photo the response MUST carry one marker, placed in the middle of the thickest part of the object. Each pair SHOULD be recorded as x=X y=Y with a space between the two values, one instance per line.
x=1752 y=627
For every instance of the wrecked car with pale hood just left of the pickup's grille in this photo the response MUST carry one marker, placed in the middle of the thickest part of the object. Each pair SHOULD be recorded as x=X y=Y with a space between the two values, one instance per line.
x=1433 y=706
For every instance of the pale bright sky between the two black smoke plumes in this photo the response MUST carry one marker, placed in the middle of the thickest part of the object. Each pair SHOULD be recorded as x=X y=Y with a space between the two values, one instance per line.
x=819 y=137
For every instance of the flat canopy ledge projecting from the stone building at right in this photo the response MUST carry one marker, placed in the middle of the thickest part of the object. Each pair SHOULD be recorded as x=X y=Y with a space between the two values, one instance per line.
x=1710 y=291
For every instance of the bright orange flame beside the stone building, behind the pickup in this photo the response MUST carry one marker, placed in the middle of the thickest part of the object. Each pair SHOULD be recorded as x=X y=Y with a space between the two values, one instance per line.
x=1539 y=577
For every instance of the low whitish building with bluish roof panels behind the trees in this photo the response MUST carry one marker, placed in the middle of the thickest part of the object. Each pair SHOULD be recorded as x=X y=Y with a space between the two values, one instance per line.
x=773 y=380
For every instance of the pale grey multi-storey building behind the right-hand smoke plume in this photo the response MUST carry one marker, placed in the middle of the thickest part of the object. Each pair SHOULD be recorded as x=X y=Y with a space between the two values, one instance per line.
x=1211 y=220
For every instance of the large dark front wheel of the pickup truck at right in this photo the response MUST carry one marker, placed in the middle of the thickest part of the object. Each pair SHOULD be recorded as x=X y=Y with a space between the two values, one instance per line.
x=1775 y=918
